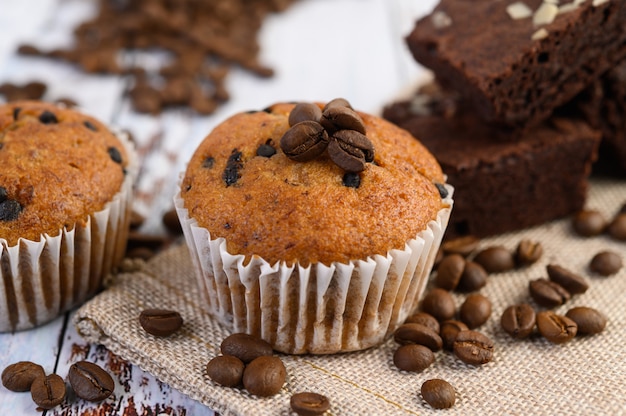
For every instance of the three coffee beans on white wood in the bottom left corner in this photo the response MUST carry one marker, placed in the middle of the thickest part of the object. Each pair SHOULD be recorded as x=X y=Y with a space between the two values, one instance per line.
x=88 y=380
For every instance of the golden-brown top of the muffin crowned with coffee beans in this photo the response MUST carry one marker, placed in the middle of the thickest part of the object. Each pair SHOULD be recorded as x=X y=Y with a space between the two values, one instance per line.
x=241 y=185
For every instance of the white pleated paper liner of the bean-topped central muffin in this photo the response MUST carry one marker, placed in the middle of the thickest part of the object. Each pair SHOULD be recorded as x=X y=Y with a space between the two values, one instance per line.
x=317 y=309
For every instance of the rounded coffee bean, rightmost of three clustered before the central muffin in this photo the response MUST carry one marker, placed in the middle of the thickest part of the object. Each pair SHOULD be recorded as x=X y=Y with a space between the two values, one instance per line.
x=264 y=376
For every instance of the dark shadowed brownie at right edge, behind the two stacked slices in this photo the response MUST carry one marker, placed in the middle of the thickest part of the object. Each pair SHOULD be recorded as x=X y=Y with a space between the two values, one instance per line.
x=603 y=105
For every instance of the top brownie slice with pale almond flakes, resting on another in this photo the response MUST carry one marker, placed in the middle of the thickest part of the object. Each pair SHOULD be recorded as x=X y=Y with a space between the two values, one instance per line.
x=518 y=60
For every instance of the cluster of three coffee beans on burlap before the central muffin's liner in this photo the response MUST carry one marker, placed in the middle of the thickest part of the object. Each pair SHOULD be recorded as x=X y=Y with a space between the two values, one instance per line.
x=248 y=361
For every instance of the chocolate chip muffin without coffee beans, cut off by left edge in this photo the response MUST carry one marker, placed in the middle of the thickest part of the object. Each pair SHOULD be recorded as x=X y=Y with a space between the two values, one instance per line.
x=65 y=188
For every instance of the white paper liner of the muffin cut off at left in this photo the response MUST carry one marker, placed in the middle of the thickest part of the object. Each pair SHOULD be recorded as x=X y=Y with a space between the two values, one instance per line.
x=39 y=280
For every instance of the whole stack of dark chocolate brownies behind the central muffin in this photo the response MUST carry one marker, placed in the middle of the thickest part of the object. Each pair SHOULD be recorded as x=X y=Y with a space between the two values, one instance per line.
x=502 y=69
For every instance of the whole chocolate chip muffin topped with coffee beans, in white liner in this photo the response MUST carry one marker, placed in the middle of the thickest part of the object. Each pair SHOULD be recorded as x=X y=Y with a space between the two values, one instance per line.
x=312 y=226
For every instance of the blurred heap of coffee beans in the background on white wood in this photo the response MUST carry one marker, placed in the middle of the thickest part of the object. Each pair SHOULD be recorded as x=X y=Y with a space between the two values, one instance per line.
x=204 y=38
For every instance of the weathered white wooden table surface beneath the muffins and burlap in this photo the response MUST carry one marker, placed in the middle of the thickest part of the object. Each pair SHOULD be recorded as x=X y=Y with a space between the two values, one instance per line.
x=320 y=49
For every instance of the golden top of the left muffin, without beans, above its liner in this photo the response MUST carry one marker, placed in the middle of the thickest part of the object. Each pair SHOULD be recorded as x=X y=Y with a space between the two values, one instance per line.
x=58 y=166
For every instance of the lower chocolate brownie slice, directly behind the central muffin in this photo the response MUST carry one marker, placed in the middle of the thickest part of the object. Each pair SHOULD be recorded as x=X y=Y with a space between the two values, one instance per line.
x=500 y=185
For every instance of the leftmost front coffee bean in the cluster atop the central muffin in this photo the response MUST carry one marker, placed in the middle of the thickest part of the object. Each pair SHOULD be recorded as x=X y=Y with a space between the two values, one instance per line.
x=305 y=141
